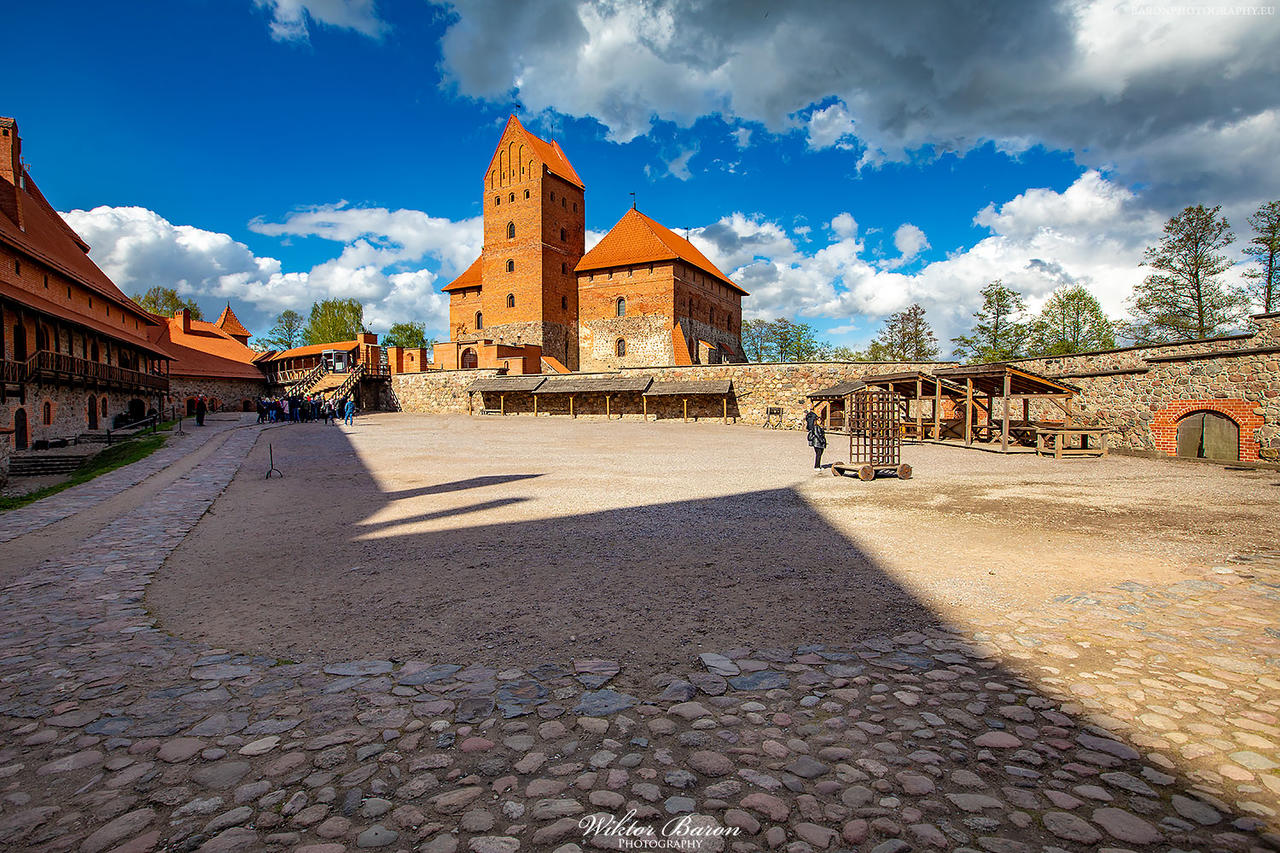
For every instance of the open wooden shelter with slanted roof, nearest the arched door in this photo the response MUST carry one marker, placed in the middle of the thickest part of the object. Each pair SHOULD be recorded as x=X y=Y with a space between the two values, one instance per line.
x=1004 y=382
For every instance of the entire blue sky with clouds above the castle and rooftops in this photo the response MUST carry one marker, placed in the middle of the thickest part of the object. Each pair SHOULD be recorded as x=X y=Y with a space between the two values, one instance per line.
x=840 y=161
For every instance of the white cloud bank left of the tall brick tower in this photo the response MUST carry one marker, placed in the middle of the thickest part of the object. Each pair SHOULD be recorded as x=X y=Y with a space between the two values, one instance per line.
x=391 y=261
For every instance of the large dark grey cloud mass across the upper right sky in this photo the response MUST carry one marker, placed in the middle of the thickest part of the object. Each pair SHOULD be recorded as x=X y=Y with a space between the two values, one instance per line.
x=1158 y=98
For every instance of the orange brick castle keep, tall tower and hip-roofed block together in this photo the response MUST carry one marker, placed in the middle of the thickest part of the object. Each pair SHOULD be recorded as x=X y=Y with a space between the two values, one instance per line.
x=537 y=302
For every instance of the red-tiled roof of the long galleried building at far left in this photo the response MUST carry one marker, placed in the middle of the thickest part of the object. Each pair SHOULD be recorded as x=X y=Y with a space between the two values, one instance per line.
x=30 y=225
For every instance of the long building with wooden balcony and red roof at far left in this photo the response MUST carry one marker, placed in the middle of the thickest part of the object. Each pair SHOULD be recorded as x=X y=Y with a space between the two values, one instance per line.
x=75 y=352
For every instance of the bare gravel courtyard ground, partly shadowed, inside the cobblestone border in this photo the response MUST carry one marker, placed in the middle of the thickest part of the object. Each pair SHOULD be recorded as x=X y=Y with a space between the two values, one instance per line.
x=519 y=541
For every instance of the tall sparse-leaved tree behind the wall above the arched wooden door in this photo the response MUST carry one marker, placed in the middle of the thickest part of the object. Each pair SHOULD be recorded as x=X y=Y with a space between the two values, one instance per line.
x=1185 y=299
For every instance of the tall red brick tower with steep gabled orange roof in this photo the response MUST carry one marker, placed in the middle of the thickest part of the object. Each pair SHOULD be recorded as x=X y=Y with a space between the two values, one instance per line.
x=534 y=236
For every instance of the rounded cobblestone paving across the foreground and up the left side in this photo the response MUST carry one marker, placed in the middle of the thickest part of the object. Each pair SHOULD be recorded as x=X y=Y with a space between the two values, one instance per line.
x=1131 y=719
